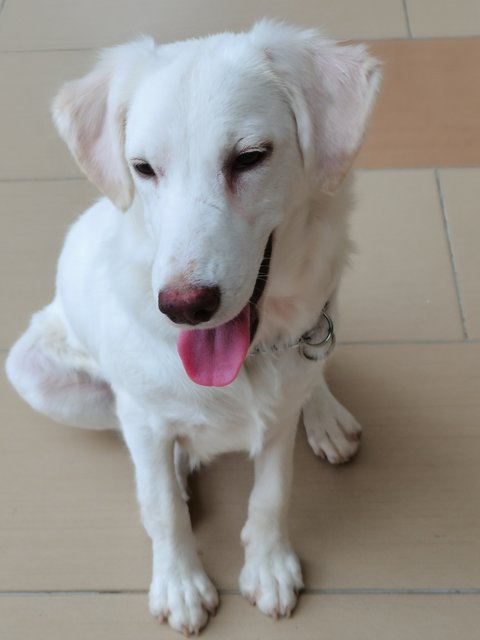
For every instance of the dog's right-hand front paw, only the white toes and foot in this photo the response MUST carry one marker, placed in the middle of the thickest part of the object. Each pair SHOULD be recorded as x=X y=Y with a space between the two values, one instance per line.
x=272 y=580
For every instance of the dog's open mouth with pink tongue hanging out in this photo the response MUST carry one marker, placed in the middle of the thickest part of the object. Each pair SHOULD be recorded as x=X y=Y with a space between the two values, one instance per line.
x=214 y=357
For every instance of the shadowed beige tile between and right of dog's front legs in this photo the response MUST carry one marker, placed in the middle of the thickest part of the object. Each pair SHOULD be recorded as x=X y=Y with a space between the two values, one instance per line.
x=404 y=514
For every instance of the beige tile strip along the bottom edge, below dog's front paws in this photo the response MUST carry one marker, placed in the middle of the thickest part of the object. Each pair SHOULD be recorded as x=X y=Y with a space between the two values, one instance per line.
x=350 y=617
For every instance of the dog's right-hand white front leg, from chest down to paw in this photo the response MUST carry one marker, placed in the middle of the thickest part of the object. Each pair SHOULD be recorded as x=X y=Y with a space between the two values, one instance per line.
x=271 y=577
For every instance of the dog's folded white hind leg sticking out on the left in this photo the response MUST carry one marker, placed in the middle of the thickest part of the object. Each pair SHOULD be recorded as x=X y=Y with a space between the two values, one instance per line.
x=56 y=378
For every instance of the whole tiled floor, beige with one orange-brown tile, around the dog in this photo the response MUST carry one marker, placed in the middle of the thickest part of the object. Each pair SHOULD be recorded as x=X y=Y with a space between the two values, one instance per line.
x=391 y=543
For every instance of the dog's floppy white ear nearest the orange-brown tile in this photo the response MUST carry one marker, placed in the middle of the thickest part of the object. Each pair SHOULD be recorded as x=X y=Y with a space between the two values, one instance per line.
x=332 y=91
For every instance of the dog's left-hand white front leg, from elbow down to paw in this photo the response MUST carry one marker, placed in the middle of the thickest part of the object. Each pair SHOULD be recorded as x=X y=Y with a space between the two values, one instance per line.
x=180 y=589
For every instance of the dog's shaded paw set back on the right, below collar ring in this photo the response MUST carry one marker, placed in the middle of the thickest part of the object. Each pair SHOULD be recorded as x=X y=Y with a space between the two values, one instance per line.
x=332 y=432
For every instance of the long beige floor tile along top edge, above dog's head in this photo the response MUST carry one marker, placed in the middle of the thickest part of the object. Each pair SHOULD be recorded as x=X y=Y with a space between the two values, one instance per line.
x=28 y=24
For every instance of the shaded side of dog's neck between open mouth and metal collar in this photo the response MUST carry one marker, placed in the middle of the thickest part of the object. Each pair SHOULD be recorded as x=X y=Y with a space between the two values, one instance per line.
x=307 y=264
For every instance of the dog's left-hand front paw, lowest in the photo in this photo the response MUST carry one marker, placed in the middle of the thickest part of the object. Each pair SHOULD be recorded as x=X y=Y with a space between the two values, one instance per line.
x=185 y=599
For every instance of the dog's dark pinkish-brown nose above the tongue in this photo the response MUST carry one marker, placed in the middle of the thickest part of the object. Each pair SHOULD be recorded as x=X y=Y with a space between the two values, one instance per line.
x=189 y=305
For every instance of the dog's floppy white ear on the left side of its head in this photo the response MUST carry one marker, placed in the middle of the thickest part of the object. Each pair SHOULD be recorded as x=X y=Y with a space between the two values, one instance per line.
x=90 y=115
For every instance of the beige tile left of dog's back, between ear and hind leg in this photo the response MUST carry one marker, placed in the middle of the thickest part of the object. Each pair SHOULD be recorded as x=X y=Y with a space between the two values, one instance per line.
x=35 y=217
